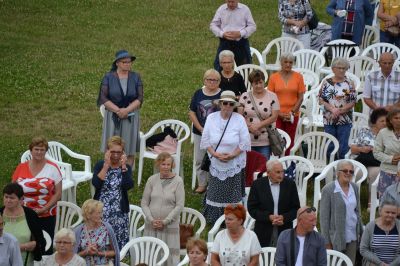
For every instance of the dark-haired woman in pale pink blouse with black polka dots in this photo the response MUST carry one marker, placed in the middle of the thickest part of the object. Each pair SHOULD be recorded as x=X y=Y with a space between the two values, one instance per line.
x=260 y=109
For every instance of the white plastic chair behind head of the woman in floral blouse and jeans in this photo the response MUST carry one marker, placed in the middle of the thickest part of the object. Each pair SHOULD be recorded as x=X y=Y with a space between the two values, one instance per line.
x=339 y=48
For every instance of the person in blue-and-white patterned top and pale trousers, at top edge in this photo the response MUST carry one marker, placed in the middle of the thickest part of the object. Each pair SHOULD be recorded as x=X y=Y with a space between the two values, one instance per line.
x=294 y=16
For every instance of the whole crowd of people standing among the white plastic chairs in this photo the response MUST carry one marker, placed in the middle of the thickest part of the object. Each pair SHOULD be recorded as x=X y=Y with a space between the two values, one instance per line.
x=229 y=121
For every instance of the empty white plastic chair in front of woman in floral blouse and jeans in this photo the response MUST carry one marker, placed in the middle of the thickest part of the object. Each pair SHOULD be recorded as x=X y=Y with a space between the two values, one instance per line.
x=317 y=144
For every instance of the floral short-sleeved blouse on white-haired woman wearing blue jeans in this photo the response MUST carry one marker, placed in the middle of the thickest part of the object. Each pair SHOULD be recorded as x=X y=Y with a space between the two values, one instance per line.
x=338 y=94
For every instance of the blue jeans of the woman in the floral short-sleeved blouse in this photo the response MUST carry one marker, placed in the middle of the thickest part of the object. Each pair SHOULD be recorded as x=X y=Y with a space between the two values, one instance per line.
x=341 y=133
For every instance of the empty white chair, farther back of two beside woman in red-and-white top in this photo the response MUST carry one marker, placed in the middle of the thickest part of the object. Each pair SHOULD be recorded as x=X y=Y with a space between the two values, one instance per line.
x=56 y=150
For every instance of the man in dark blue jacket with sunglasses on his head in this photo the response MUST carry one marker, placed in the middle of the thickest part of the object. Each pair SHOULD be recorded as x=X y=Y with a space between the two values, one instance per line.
x=309 y=246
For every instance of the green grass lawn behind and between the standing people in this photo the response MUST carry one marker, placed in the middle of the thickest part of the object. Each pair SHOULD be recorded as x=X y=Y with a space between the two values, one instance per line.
x=53 y=55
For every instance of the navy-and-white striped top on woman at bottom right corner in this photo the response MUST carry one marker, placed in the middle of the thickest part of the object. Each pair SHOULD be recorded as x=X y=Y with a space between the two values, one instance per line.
x=384 y=245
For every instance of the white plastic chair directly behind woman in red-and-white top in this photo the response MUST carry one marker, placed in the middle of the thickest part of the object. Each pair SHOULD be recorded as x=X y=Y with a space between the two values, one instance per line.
x=66 y=173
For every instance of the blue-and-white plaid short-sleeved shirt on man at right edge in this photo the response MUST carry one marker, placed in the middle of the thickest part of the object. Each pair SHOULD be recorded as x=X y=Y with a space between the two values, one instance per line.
x=382 y=90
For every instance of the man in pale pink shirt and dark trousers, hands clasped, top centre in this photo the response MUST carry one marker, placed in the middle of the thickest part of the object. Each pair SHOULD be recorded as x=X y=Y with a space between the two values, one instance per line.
x=233 y=24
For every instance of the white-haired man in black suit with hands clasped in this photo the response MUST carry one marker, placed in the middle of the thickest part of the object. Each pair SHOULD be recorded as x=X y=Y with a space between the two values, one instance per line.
x=273 y=203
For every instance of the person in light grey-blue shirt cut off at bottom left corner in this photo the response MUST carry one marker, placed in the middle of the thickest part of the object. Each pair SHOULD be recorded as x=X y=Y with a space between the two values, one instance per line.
x=10 y=254
